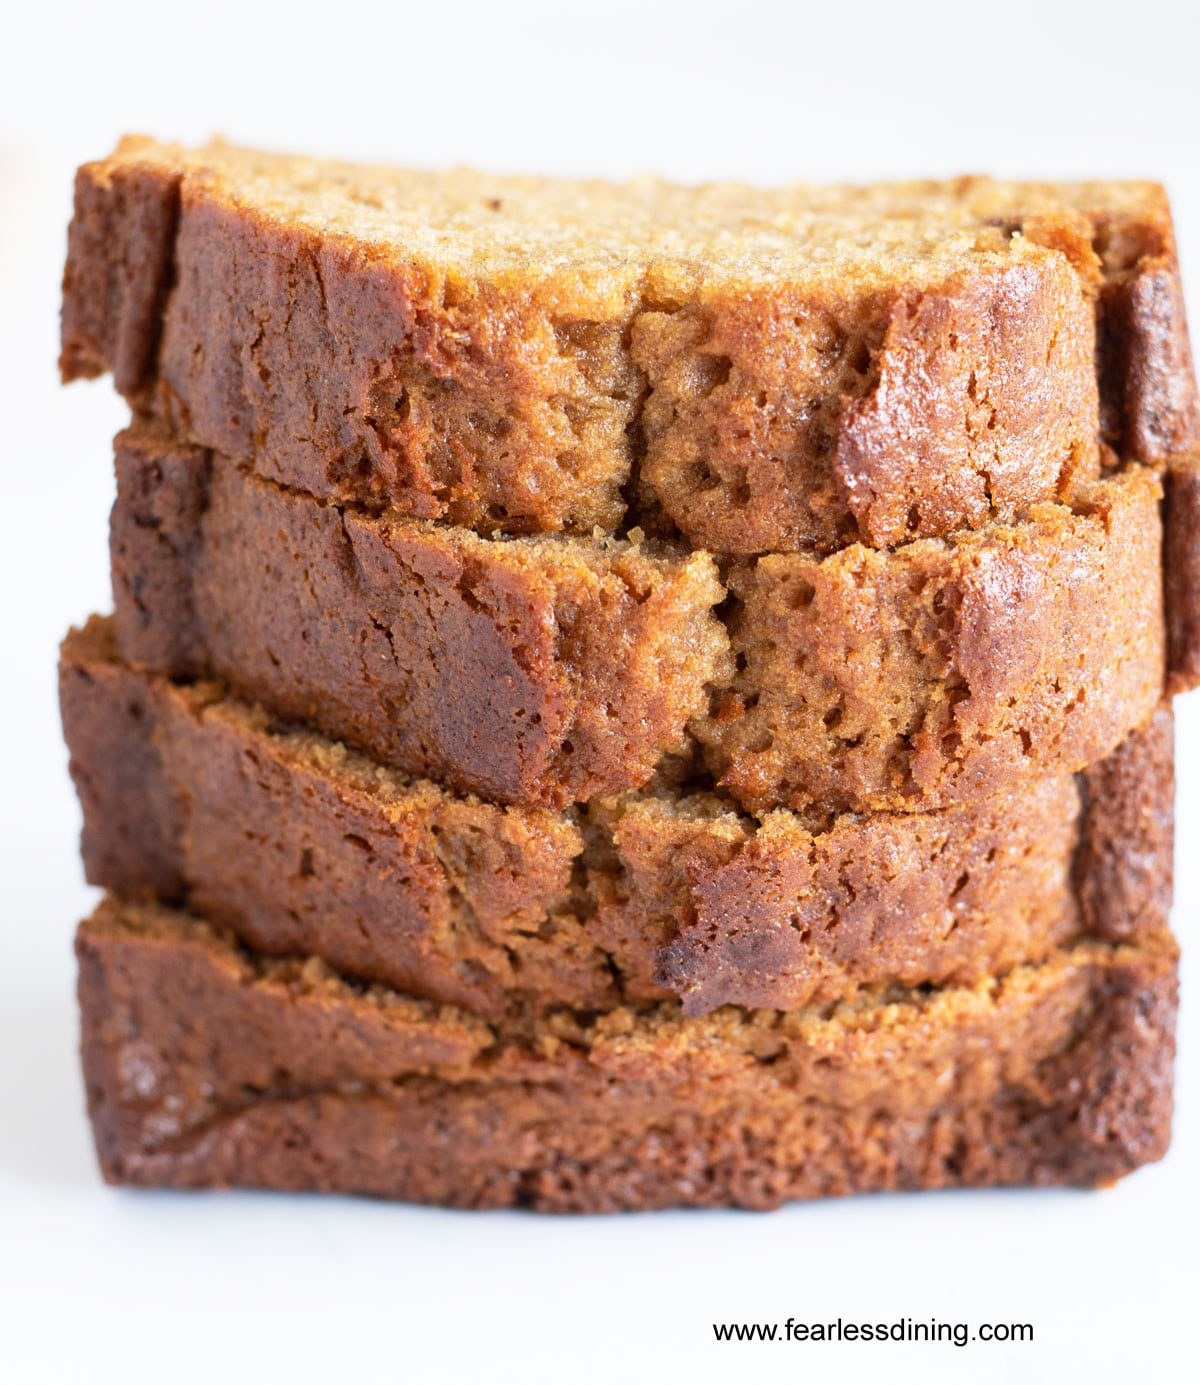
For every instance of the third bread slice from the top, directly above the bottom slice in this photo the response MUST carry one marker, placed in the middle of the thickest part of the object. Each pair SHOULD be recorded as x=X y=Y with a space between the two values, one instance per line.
x=299 y=846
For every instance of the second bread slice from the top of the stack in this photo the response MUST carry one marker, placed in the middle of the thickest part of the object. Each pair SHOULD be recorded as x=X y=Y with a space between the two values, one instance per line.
x=552 y=670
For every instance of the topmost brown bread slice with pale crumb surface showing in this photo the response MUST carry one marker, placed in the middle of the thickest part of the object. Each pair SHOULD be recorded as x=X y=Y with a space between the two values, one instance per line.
x=753 y=370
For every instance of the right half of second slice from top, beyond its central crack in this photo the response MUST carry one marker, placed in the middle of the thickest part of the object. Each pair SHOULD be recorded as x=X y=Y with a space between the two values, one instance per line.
x=944 y=670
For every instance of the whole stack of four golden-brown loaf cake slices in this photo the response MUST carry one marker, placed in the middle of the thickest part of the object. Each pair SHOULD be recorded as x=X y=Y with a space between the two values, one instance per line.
x=630 y=696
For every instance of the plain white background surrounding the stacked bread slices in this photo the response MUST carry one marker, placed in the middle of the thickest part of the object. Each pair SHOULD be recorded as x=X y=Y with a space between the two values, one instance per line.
x=114 y=1286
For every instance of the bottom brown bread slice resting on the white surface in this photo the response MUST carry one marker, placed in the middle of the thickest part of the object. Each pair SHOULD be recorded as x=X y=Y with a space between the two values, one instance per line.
x=213 y=1066
